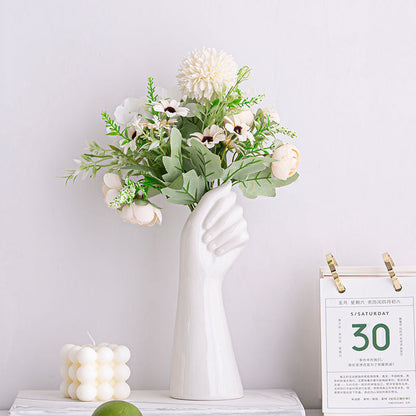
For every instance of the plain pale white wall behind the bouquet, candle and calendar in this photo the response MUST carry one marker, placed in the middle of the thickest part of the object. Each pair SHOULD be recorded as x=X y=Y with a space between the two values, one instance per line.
x=341 y=73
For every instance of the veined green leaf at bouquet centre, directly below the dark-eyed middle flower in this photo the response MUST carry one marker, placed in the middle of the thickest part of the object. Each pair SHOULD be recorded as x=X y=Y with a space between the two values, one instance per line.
x=205 y=162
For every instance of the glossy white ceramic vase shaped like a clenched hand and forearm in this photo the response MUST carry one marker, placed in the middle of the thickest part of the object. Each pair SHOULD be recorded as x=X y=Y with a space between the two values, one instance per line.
x=203 y=362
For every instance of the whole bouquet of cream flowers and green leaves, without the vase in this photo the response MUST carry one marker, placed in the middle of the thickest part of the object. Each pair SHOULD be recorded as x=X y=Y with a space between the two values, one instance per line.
x=189 y=142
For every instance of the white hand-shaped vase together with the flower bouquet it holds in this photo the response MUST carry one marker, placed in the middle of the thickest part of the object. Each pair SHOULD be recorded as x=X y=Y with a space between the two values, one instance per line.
x=192 y=145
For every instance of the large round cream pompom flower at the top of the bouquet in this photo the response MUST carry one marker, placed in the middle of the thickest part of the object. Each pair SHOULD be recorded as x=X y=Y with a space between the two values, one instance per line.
x=205 y=72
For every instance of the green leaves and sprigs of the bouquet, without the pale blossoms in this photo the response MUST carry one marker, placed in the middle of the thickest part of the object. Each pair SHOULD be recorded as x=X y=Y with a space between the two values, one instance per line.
x=166 y=160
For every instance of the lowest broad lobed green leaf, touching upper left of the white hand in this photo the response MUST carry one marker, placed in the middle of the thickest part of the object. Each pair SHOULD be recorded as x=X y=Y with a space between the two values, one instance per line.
x=185 y=189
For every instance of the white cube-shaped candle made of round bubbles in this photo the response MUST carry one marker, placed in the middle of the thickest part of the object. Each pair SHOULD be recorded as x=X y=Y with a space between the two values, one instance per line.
x=95 y=372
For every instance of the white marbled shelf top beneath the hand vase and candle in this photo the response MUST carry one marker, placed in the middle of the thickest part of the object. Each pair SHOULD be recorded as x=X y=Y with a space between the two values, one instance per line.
x=271 y=402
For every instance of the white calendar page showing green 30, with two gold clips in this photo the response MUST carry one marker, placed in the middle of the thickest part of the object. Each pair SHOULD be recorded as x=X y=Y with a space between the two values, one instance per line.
x=368 y=340
